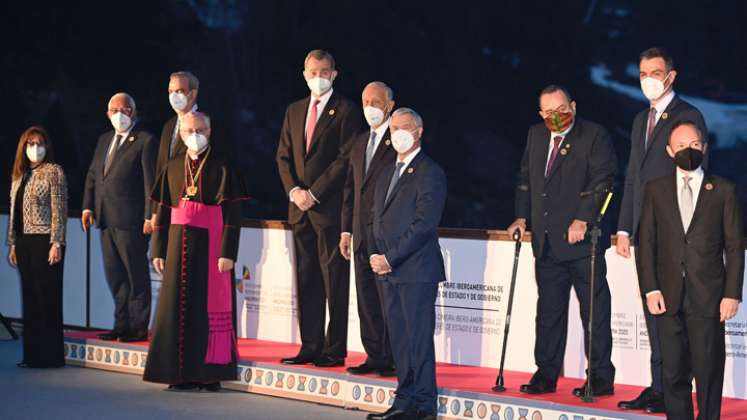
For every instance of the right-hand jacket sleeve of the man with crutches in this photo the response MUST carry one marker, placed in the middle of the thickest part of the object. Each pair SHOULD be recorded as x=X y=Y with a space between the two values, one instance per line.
x=601 y=175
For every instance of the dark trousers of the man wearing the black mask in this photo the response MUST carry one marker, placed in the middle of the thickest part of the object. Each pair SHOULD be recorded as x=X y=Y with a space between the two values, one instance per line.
x=692 y=346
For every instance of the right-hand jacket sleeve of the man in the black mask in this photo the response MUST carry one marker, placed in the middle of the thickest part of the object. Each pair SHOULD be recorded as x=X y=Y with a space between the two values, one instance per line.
x=733 y=249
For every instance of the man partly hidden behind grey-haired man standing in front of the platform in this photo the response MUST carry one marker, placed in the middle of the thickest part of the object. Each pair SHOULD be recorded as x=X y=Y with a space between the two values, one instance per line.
x=370 y=152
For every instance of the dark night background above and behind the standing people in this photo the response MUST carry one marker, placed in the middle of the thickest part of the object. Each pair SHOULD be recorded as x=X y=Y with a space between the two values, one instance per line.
x=473 y=72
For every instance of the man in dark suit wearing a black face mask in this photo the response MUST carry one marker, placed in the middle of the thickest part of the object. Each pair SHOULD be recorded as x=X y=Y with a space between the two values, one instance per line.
x=691 y=272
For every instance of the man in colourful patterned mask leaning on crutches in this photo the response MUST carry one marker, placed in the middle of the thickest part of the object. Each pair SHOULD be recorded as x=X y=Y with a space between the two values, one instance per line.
x=567 y=163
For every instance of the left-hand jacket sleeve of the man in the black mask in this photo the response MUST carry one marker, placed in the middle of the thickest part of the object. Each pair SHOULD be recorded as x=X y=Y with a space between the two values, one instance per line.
x=647 y=279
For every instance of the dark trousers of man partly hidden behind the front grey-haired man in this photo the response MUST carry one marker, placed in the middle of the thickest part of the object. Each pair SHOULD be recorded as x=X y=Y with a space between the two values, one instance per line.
x=374 y=335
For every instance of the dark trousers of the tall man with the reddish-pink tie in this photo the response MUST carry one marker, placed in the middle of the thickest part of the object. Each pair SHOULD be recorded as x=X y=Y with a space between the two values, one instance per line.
x=322 y=275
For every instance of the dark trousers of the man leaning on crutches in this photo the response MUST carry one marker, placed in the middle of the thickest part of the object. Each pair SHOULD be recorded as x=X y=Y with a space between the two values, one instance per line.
x=554 y=281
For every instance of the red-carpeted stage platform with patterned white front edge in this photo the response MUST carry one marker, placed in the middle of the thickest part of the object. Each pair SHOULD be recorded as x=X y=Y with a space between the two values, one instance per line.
x=464 y=391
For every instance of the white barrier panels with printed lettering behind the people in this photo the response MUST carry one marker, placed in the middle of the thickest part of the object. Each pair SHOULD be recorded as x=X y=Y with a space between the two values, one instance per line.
x=471 y=305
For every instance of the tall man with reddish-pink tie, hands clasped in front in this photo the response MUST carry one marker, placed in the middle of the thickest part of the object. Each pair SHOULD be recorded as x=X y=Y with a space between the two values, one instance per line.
x=312 y=163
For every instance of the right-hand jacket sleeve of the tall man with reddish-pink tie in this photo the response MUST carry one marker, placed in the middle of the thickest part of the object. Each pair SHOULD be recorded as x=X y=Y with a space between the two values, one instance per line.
x=333 y=178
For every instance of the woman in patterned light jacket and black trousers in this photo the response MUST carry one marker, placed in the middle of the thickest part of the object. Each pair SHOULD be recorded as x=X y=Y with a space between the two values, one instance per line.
x=36 y=236
